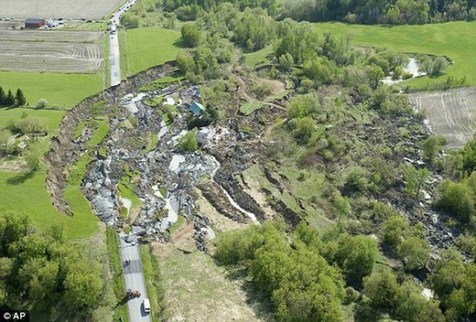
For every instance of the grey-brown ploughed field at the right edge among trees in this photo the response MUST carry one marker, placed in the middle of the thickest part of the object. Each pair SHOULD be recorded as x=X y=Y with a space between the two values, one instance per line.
x=450 y=113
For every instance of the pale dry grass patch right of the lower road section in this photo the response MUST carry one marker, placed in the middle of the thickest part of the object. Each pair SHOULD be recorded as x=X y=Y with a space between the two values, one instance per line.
x=196 y=289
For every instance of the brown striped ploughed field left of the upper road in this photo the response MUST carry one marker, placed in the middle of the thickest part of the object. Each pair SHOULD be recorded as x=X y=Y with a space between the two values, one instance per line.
x=51 y=51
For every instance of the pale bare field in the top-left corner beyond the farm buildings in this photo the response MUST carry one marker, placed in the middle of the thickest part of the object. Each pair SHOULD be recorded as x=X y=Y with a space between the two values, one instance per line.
x=75 y=9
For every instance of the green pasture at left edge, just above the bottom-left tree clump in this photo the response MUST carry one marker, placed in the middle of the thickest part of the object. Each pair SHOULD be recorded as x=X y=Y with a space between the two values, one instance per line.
x=23 y=193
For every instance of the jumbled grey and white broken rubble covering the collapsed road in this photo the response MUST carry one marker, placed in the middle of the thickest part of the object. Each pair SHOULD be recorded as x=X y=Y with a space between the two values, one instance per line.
x=167 y=176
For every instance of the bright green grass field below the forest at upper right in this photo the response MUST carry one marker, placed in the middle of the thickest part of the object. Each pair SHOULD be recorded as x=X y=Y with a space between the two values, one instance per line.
x=452 y=39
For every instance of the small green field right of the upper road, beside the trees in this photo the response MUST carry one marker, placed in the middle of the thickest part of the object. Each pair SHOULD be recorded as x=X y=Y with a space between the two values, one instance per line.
x=148 y=47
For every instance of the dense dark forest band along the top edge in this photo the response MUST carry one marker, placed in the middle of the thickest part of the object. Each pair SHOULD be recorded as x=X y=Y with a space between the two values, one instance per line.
x=361 y=11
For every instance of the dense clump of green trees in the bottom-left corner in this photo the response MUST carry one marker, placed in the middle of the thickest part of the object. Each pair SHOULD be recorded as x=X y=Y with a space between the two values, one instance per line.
x=42 y=270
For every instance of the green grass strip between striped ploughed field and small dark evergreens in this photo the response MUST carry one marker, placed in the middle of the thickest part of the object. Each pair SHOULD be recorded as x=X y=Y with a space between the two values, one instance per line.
x=61 y=90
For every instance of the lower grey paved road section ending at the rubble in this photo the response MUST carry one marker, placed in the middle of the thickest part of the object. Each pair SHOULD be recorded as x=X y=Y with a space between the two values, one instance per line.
x=134 y=279
